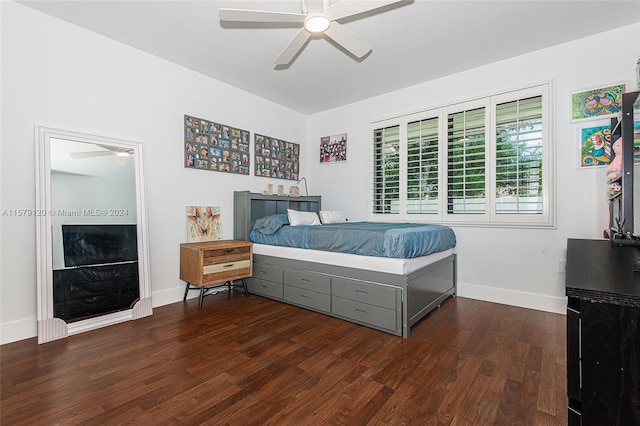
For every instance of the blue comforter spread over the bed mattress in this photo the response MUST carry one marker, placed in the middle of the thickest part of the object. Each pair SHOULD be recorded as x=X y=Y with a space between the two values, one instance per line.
x=398 y=240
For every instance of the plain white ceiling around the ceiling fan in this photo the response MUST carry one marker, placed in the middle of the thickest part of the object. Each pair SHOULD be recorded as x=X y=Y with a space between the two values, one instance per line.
x=413 y=41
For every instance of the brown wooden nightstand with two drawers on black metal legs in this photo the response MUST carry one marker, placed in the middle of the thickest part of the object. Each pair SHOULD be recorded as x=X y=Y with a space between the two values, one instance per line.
x=212 y=264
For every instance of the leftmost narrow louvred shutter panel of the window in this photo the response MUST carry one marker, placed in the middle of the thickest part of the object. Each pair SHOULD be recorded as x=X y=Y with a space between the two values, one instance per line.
x=386 y=170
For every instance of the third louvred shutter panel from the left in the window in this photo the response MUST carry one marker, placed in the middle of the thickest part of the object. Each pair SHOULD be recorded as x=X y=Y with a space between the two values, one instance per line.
x=466 y=162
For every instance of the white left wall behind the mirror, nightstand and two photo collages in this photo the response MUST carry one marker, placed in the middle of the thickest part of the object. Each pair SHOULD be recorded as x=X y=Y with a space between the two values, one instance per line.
x=59 y=75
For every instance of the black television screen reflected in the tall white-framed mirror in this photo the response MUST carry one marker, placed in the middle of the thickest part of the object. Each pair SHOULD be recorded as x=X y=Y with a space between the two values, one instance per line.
x=99 y=244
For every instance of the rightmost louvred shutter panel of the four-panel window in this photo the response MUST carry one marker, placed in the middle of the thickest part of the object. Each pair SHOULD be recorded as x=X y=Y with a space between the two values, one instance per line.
x=519 y=157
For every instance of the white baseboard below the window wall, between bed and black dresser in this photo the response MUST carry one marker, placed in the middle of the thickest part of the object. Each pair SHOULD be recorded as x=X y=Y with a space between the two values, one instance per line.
x=539 y=302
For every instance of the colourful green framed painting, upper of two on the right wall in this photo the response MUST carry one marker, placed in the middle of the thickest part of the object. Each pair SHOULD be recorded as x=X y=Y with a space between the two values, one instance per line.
x=594 y=103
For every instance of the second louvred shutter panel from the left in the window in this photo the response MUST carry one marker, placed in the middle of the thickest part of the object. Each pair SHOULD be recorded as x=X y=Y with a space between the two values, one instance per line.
x=422 y=166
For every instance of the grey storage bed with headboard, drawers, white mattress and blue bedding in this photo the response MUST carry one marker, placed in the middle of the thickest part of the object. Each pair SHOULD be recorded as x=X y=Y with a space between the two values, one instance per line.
x=390 y=288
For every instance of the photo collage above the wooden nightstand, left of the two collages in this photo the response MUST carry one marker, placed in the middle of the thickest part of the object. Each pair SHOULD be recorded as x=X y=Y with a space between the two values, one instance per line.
x=214 y=146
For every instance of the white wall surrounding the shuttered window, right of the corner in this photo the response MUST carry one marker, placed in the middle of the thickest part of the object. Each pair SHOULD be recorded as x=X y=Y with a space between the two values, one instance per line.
x=514 y=266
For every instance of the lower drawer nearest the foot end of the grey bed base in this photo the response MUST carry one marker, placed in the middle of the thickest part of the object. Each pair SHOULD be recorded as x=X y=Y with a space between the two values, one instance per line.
x=375 y=316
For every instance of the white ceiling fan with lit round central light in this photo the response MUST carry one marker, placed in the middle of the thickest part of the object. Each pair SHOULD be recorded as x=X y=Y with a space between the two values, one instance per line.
x=317 y=17
